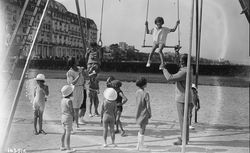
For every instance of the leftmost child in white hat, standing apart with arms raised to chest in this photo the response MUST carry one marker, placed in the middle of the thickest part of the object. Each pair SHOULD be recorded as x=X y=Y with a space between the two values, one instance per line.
x=40 y=93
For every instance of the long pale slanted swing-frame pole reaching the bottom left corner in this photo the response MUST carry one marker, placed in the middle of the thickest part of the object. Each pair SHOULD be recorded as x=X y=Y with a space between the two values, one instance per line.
x=21 y=82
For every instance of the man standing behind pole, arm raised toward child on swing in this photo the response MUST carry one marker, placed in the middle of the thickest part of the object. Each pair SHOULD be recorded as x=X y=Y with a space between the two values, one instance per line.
x=180 y=84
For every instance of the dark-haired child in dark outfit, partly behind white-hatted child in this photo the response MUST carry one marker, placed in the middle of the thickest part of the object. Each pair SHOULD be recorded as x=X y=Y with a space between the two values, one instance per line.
x=120 y=101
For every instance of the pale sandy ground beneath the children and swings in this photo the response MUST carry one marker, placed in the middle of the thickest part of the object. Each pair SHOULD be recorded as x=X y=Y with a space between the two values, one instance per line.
x=223 y=122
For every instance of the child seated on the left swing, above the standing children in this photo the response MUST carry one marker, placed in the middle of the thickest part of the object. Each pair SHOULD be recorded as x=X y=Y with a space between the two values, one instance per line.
x=93 y=57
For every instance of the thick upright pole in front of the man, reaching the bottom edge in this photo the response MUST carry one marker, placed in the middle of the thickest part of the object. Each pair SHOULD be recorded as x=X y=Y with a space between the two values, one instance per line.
x=188 y=81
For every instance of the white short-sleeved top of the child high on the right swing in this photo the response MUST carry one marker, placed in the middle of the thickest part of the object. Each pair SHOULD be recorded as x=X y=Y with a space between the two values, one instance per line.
x=160 y=35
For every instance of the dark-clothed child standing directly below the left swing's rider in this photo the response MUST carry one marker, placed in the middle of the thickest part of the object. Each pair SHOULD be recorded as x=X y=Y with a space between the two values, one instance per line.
x=93 y=95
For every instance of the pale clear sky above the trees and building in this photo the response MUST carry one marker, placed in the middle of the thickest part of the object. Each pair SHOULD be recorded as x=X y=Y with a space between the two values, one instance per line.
x=225 y=32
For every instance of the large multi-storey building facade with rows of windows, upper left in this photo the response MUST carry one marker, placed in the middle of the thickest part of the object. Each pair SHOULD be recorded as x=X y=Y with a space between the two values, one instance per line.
x=59 y=34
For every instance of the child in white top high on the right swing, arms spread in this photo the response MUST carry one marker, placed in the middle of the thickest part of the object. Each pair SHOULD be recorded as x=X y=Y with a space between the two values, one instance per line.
x=159 y=38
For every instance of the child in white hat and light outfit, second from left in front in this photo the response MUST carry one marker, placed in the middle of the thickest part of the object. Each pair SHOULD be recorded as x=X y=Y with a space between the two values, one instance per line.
x=67 y=116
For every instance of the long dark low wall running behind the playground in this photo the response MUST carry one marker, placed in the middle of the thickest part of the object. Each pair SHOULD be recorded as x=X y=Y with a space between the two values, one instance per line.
x=139 y=67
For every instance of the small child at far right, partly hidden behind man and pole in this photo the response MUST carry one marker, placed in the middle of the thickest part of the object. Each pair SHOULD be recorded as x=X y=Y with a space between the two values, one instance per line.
x=195 y=104
